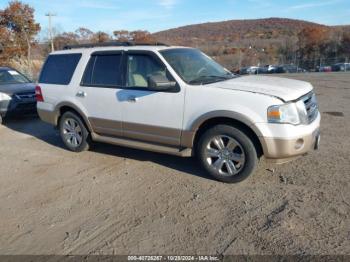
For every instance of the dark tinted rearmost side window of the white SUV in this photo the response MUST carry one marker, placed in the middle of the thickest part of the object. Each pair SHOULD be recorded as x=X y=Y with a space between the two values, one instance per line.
x=59 y=69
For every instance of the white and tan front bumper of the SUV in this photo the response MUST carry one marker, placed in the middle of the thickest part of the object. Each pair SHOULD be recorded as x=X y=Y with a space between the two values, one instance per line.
x=289 y=141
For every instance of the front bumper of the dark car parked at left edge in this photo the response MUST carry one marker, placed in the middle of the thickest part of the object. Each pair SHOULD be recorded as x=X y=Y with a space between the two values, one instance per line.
x=17 y=107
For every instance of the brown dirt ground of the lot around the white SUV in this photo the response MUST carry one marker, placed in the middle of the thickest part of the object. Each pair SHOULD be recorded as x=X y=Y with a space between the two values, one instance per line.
x=114 y=200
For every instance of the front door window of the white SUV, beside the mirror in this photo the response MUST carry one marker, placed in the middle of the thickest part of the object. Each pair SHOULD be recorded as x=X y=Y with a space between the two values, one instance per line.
x=140 y=68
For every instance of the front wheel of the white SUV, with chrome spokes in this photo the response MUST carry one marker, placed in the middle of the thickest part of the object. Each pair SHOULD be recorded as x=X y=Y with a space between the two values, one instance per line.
x=227 y=154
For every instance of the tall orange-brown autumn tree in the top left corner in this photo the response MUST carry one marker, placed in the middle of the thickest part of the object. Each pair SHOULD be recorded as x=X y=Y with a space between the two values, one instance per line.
x=18 y=19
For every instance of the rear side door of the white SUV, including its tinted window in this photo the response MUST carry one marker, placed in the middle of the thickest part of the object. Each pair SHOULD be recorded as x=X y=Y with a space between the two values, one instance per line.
x=101 y=82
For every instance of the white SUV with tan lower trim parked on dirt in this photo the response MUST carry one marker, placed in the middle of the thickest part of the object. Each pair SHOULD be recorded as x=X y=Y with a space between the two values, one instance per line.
x=176 y=100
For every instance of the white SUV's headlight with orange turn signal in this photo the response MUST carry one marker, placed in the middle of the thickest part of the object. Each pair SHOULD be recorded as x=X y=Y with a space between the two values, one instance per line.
x=291 y=113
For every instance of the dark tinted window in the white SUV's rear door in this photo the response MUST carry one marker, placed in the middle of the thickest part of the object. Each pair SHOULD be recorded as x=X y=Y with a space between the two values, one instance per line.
x=104 y=71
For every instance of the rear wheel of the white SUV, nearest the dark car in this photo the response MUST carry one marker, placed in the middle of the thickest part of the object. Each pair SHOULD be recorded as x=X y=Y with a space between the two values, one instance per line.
x=73 y=132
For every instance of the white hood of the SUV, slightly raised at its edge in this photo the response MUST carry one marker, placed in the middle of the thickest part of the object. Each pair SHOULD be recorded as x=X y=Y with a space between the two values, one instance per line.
x=283 y=88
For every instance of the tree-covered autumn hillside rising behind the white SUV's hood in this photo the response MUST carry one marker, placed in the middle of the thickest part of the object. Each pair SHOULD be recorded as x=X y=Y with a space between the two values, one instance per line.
x=237 y=43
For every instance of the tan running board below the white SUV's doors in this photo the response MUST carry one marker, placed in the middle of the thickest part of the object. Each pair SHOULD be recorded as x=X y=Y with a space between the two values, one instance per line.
x=187 y=152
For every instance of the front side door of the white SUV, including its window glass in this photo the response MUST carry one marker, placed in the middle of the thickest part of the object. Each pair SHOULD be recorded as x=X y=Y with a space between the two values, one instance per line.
x=150 y=116
